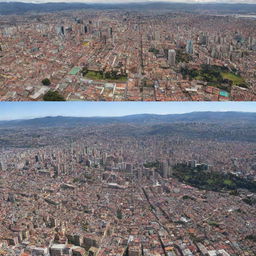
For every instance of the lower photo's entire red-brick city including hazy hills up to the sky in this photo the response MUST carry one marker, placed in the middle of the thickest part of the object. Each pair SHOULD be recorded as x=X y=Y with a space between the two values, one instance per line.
x=129 y=186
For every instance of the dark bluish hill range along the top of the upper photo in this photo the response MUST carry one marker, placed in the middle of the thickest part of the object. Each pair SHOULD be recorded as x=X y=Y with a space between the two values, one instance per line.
x=22 y=8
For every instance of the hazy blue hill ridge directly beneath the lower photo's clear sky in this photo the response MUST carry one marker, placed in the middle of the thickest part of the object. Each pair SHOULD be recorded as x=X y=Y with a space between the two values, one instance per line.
x=142 y=119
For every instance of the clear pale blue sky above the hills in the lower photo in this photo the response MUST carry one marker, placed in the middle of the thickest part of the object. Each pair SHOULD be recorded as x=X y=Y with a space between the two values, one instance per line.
x=24 y=110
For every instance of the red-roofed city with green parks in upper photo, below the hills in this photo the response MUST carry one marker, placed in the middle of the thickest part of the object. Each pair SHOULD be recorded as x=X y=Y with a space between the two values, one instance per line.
x=128 y=55
